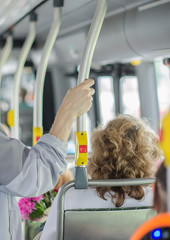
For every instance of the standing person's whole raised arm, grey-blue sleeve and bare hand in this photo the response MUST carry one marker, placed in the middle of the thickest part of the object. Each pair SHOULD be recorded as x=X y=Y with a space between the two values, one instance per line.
x=30 y=172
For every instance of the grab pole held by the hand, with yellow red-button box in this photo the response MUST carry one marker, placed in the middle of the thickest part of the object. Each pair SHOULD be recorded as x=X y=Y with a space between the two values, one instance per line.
x=81 y=157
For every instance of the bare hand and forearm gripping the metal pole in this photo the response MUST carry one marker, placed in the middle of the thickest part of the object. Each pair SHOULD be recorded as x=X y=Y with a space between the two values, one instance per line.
x=76 y=102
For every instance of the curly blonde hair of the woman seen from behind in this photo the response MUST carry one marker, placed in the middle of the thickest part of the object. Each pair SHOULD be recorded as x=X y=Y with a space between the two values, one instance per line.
x=125 y=149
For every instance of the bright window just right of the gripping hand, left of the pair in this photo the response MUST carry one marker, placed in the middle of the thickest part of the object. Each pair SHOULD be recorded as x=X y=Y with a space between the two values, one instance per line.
x=106 y=99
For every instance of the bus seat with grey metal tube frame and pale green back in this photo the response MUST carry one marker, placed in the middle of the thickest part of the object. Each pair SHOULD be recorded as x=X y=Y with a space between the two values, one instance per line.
x=107 y=224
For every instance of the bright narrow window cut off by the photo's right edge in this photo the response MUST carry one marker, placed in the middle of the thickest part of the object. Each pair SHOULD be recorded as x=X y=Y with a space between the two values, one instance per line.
x=163 y=87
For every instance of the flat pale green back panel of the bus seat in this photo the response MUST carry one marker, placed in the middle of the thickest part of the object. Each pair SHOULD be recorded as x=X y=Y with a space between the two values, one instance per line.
x=107 y=224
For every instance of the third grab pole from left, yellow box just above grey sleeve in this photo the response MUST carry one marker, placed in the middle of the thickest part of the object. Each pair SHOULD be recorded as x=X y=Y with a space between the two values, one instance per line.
x=39 y=86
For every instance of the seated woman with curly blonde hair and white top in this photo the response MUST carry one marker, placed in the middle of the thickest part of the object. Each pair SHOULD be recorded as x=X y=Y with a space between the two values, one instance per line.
x=125 y=149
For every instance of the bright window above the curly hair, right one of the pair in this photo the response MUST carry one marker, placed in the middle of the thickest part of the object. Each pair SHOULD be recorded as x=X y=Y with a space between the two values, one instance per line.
x=130 y=95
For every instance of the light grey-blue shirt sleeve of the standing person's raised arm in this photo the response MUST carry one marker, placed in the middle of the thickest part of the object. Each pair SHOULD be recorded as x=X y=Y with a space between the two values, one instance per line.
x=38 y=168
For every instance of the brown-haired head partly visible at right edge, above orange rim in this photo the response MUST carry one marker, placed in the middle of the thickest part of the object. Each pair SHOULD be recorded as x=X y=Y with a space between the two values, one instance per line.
x=160 y=193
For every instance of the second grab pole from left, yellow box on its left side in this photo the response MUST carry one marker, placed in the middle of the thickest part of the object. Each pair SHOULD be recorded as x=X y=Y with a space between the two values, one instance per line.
x=13 y=115
